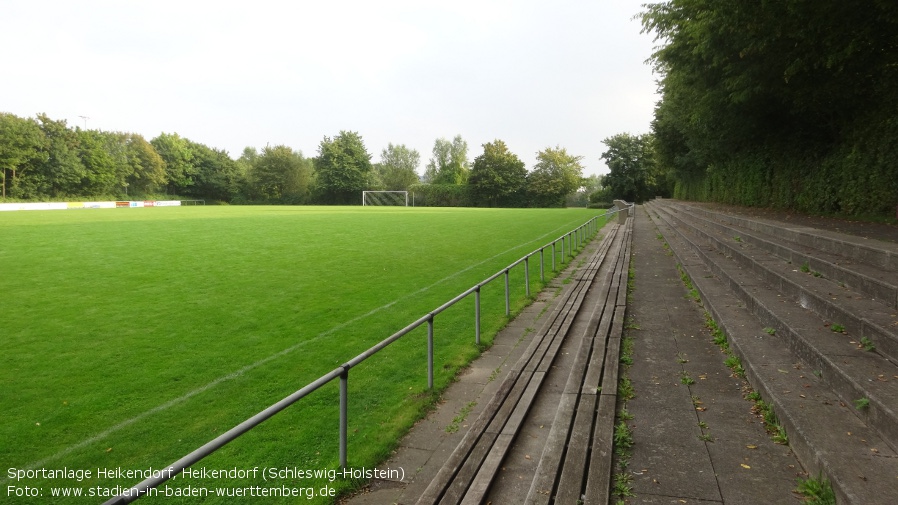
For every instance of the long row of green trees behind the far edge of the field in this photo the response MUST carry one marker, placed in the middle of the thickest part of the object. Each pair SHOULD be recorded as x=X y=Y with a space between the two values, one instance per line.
x=44 y=159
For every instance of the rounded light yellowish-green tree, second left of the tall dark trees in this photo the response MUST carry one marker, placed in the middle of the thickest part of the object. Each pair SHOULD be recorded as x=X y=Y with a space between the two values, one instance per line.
x=556 y=175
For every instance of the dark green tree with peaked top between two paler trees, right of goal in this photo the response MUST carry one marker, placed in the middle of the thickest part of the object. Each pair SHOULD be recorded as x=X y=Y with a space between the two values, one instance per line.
x=498 y=177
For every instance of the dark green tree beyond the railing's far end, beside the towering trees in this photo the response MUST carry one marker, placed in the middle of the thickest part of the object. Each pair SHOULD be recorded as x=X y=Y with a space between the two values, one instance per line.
x=634 y=175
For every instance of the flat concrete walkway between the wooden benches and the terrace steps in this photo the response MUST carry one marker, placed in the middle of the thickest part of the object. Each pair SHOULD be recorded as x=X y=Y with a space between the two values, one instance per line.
x=696 y=443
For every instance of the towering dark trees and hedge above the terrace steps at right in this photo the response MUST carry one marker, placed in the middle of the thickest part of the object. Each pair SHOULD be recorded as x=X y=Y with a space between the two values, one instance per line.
x=788 y=103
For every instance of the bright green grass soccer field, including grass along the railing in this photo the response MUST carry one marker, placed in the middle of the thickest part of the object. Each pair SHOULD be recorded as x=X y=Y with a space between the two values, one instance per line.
x=133 y=336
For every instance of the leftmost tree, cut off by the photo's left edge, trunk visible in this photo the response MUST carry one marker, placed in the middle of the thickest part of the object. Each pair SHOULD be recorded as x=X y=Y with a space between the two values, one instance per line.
x=21 y=143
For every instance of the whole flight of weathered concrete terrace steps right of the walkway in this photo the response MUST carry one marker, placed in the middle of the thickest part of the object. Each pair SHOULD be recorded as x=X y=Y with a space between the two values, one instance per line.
x=747 y=291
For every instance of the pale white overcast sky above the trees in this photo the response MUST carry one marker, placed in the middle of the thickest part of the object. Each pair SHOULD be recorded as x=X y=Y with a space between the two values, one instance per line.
x=231 y=74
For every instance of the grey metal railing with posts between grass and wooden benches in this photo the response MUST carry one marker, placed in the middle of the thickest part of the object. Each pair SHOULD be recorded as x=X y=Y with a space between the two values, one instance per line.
x=577 y=236
